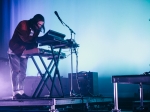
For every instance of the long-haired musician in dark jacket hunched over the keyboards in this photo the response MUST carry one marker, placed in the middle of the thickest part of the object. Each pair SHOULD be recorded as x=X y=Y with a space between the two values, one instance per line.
x=24 y=38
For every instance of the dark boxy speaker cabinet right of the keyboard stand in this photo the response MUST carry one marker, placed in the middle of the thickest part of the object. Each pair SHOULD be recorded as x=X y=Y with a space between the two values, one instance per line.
x=86 y=85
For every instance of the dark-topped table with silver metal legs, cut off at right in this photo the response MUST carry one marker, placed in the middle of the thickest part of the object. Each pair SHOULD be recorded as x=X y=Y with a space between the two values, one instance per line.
x=129 y=79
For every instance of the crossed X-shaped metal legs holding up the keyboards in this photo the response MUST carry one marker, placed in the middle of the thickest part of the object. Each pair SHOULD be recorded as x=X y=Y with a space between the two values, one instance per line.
x=47 y=75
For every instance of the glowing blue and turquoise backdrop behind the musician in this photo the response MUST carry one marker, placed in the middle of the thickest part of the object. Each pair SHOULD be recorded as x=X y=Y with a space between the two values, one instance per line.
x=114 y=35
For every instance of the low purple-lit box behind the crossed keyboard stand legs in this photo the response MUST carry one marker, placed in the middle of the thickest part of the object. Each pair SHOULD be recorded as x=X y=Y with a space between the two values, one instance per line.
x=31 y=83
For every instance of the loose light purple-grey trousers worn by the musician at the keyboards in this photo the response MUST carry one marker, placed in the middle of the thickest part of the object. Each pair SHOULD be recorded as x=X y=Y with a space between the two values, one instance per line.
x=18 y=66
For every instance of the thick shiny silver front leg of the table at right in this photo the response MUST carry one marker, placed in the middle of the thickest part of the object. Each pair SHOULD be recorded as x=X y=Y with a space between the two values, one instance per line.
x=115 y=99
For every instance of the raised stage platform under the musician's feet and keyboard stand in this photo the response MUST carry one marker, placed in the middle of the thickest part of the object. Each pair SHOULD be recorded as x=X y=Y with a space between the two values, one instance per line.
x=52 y=103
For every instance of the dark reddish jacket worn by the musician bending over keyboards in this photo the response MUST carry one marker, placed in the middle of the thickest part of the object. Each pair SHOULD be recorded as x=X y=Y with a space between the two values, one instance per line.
x=22 y=38
